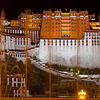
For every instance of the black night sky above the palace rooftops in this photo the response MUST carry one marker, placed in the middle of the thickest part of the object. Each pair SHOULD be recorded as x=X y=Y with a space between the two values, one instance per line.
x=14 y=7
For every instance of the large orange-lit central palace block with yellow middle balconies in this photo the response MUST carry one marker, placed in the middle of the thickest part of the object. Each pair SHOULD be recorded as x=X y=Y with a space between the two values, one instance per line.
x=70 y=24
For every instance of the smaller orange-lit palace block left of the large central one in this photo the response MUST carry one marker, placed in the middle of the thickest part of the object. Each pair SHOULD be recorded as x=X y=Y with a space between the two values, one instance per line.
x=34 y=20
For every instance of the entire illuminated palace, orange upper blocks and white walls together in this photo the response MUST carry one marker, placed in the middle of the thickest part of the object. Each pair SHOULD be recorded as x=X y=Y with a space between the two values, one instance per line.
x=63 y=29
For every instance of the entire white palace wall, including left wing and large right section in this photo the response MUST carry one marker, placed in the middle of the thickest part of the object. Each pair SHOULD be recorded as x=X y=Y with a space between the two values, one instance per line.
x=63 y=51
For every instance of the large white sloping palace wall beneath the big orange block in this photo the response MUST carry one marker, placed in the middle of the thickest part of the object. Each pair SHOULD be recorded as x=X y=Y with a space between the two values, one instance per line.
x=64 y=52
